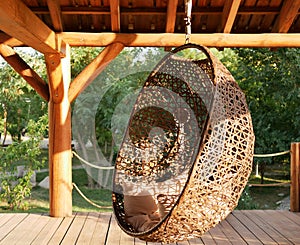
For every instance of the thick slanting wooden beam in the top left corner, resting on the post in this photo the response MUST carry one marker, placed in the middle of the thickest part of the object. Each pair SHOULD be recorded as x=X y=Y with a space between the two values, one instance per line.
x=18 y=21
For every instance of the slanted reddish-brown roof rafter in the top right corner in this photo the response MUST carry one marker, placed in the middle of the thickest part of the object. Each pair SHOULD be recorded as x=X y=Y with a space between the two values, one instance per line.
x=287 y=15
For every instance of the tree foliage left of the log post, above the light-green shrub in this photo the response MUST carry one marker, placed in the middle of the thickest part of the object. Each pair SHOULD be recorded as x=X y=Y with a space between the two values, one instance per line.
x=19 y=101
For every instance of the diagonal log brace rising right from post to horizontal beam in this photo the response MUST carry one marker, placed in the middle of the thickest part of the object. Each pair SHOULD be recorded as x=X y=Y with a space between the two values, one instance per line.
x=94 y=69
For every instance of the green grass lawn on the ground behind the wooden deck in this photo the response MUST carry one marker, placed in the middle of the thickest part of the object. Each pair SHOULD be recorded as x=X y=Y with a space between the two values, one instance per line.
x=257 y=197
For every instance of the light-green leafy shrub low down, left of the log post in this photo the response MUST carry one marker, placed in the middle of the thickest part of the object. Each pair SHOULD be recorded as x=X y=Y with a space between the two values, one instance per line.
x=16 y=188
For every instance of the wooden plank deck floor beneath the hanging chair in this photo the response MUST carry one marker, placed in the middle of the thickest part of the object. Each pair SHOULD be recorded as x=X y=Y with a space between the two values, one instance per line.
x=241 y=227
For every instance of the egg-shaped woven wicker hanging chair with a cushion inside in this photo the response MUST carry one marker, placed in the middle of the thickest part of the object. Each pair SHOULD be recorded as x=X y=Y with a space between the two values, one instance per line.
x=187 y=153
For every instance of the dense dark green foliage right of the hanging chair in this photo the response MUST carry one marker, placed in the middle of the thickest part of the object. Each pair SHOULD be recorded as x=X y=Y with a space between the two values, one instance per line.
x=271 y=82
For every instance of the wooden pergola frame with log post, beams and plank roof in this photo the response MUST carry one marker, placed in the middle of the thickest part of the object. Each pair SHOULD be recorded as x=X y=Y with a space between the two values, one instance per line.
x=53 y=26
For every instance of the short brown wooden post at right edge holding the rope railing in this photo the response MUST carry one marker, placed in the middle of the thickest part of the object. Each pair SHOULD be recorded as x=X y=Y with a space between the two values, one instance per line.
x=295 y=178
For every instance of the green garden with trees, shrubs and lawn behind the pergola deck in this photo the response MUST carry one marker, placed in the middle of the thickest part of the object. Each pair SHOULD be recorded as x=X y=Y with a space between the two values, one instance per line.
x=269 y=78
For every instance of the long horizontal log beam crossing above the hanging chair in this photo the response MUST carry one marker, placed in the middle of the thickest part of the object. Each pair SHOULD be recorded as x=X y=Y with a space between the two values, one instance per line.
x=173 y=40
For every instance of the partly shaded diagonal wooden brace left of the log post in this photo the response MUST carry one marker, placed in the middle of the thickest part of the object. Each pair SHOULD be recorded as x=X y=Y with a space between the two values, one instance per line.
x=25 y=71
